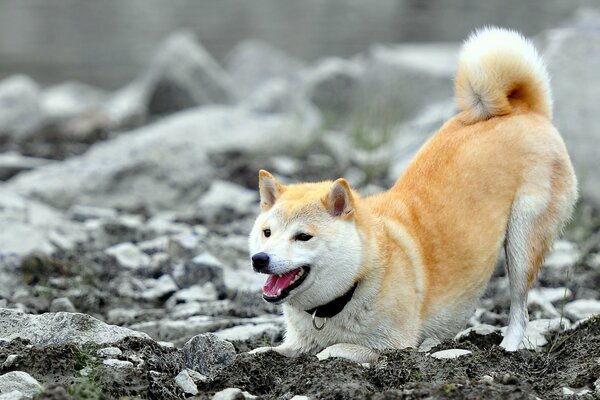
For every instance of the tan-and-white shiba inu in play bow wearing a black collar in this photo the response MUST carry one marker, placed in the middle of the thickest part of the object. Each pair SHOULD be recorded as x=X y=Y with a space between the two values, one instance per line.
x=357 y=275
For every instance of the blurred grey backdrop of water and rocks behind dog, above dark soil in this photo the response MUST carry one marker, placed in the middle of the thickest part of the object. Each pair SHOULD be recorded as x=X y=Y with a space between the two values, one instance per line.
x=132 y=132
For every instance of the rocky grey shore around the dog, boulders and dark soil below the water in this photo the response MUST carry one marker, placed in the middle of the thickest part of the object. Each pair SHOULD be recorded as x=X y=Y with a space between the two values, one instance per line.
x=123 y=251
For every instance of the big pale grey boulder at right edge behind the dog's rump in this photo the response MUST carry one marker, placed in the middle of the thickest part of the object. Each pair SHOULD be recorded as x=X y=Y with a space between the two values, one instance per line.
x=572 y=54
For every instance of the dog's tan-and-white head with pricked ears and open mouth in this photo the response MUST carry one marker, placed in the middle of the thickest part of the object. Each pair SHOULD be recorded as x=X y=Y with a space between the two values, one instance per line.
x=306 y=240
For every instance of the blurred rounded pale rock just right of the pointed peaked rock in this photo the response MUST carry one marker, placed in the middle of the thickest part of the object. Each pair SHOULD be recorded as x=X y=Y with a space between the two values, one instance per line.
x=252 y=63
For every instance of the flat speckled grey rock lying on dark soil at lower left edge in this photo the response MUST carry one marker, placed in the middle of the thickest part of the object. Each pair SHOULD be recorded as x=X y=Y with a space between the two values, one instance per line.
x=60 y=328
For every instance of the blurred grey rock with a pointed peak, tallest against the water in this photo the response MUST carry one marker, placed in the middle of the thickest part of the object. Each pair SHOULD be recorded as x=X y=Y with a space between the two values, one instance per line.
x=183 y=75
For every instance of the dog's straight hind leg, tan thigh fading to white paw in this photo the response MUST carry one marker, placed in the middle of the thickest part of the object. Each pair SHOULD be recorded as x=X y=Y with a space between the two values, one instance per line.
x=538 y=215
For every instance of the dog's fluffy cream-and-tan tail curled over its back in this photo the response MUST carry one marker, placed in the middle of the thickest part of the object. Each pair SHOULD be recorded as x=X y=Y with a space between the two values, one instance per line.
x=496 y=69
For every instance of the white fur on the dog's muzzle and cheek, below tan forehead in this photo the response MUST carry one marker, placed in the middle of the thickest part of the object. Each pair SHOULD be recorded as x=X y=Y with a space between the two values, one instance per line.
x=334 y=254
